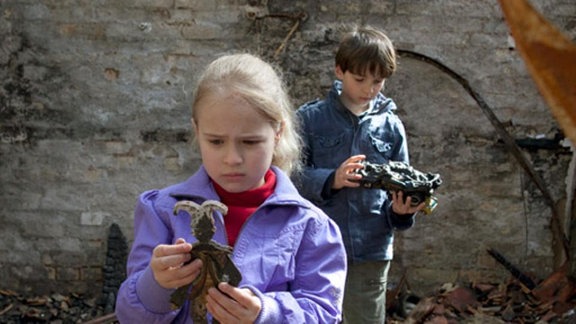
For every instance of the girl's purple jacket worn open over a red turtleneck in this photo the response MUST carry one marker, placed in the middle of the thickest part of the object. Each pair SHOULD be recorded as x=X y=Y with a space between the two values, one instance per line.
x=289 y=252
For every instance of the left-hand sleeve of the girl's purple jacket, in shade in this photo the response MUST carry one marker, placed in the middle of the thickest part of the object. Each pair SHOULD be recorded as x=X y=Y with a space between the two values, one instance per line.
x=140 y=298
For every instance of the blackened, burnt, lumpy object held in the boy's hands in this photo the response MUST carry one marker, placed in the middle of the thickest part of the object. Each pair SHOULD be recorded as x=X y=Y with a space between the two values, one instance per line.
x=399 y=176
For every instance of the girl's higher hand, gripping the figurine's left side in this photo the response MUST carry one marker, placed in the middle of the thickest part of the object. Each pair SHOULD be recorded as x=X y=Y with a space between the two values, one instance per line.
x=169 y=266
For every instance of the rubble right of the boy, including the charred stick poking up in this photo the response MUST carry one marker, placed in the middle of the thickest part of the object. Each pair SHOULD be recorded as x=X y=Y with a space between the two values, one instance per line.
x=521 y=300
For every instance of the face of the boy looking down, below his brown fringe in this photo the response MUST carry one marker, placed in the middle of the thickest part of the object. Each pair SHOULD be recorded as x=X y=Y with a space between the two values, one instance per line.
x=358 y=90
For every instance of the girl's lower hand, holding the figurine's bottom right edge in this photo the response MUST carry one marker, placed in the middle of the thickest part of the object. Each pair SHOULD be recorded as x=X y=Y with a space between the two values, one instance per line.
x=233 y=305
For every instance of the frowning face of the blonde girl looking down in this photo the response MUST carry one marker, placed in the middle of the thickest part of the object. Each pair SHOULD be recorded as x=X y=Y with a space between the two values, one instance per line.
x=236 y=142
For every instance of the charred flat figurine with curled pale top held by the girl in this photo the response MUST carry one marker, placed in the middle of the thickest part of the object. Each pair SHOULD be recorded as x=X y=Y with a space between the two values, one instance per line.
x=217 y=265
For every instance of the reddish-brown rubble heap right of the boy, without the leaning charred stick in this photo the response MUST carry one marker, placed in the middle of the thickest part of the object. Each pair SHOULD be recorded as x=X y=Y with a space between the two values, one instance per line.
x=485 y=303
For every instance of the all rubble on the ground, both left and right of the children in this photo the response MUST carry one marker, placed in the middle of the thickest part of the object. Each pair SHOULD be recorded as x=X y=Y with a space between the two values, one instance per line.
x=522 y=299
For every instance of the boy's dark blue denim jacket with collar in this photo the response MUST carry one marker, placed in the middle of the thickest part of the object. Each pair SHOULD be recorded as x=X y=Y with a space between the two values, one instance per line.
x=332 y=134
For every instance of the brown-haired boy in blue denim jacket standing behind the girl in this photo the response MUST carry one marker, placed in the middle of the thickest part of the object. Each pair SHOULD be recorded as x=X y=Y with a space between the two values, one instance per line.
x=355 y=122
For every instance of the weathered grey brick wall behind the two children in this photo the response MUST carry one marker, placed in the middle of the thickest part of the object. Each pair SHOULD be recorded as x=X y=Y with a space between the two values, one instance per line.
x=94 y=109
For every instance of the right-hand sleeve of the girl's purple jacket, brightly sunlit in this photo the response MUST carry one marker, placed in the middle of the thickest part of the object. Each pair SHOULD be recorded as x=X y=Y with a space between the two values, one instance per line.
x=316 y=294
